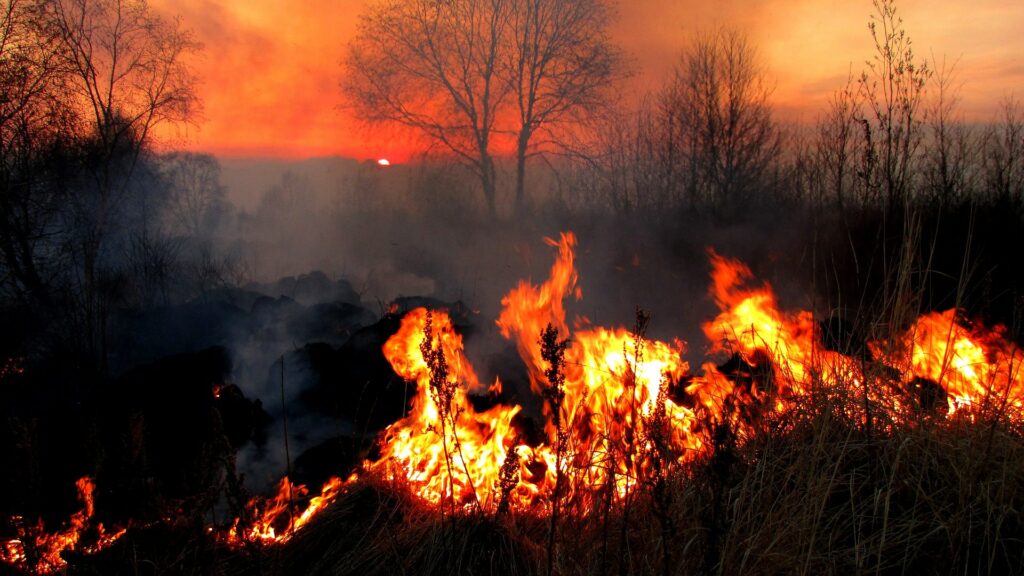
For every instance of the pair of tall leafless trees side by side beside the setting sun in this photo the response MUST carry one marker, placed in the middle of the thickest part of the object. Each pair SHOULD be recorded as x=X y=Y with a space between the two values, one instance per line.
x=475 y=76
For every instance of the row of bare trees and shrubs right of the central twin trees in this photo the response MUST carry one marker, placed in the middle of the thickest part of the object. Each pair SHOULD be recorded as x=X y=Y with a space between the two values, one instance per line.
x=893 y=137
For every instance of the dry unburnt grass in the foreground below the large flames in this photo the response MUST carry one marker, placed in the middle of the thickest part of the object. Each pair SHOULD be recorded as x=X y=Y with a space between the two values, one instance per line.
x=809 y=493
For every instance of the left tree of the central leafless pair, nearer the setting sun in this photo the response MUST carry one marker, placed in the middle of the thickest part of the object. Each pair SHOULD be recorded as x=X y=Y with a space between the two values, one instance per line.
x=435 y=67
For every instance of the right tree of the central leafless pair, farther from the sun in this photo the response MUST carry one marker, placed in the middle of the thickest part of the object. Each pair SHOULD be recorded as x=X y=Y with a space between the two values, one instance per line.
x=562 y=65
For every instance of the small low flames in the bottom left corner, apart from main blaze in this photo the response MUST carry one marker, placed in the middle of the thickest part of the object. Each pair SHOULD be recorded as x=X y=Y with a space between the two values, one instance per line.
x=42 y=555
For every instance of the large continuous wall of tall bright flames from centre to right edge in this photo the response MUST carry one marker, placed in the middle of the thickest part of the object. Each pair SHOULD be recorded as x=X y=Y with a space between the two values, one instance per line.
x=613 y=415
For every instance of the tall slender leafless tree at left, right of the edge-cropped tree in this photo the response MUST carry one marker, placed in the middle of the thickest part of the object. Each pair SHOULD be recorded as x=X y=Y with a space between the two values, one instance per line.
x=125 y=73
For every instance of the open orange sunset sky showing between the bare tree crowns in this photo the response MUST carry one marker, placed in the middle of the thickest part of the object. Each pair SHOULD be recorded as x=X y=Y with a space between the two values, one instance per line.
x=270 y=69
